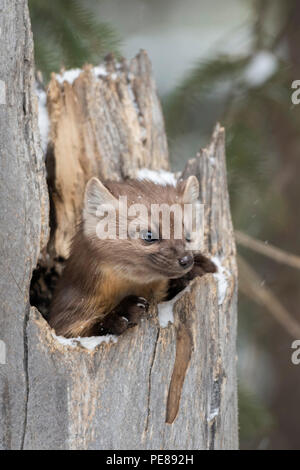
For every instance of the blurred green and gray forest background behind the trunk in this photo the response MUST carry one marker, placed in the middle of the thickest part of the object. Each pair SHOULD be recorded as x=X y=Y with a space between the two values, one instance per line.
x=232 y=62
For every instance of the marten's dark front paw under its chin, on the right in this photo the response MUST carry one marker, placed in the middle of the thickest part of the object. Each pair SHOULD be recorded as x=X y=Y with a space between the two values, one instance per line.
x=202 y=265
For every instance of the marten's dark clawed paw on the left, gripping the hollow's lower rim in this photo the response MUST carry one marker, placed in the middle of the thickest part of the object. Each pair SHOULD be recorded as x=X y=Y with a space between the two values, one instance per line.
x=126 y=315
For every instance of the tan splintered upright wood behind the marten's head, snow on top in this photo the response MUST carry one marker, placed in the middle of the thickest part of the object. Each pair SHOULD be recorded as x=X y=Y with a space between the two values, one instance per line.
x=105 y=121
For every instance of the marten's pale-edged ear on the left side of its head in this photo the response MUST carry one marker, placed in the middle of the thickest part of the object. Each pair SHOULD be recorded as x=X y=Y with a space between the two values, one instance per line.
x=95 y=195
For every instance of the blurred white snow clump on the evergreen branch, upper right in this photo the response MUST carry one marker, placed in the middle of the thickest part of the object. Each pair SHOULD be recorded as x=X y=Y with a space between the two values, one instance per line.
x=261 y=67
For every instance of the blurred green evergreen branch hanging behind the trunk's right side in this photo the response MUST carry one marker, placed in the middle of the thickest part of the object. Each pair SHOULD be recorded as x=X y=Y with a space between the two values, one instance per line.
x=216 y=91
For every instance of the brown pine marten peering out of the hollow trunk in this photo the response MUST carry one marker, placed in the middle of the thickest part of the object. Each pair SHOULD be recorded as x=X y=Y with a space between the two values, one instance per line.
x=108 y=283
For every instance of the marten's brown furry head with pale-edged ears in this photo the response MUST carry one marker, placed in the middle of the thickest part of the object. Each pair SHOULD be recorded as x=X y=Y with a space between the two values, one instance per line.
x=136 y=229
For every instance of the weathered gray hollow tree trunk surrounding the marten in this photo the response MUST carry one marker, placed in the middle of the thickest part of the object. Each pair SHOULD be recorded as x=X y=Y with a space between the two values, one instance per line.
x=159 y=386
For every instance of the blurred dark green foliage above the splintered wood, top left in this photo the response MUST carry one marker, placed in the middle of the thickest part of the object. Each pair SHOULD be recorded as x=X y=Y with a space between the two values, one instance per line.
x=67 y=34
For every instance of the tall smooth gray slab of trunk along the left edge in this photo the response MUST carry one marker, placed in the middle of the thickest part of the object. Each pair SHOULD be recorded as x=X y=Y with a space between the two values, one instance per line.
x=23 y=214
